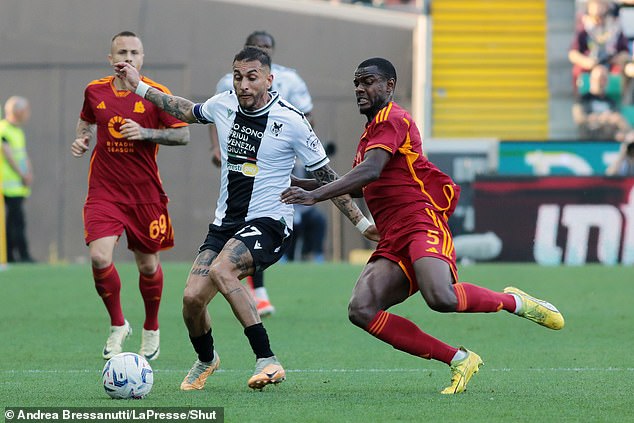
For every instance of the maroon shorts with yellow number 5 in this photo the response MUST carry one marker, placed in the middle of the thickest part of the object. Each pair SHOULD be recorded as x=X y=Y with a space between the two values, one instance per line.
x=423 y=234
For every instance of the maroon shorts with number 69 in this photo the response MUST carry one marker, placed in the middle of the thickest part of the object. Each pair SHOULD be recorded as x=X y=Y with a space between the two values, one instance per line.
x=148 y=227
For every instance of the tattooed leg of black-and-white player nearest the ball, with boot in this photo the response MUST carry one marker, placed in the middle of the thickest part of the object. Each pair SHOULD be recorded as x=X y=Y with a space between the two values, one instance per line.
x=199 y=291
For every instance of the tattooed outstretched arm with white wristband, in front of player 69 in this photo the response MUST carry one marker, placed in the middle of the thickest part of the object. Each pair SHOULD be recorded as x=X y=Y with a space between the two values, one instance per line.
x=179 y=107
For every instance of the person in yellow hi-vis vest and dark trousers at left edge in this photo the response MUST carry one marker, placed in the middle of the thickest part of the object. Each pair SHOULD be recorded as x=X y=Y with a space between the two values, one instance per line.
x=17 y=177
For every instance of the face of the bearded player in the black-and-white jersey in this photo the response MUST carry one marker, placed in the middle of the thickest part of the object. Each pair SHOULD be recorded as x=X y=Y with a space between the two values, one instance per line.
x=251 y=81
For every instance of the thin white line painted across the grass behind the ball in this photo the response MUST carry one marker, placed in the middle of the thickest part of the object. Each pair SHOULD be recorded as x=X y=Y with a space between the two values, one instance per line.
x=420 y=370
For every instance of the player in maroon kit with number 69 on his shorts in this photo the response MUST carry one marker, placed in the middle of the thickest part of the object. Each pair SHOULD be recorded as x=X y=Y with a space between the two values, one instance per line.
x=125 y=192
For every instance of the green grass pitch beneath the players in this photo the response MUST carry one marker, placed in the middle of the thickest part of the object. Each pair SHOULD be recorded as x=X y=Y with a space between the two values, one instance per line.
x=53 y=326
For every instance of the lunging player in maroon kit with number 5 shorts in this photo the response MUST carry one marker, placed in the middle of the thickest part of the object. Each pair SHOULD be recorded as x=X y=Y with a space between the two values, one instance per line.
x=411 y=201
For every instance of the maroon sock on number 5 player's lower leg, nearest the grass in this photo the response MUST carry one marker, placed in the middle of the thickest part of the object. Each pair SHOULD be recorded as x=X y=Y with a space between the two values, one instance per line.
x=404 y=335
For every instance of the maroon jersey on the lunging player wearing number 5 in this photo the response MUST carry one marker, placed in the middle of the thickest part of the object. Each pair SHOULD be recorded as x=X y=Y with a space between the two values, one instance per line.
x=409 y=183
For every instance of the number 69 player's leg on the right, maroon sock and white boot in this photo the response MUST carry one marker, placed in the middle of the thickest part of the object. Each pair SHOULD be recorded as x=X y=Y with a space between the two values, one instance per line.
x=151 y=288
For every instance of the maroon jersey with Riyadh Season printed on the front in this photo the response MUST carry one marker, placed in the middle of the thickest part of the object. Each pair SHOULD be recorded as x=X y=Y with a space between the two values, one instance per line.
x=122 y=170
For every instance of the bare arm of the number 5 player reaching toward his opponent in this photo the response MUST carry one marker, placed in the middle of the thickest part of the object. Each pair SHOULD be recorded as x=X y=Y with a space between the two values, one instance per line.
x=365 y=172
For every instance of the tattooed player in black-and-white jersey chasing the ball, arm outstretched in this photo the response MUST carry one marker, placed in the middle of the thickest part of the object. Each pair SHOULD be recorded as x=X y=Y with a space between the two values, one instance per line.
x=261 y=137
